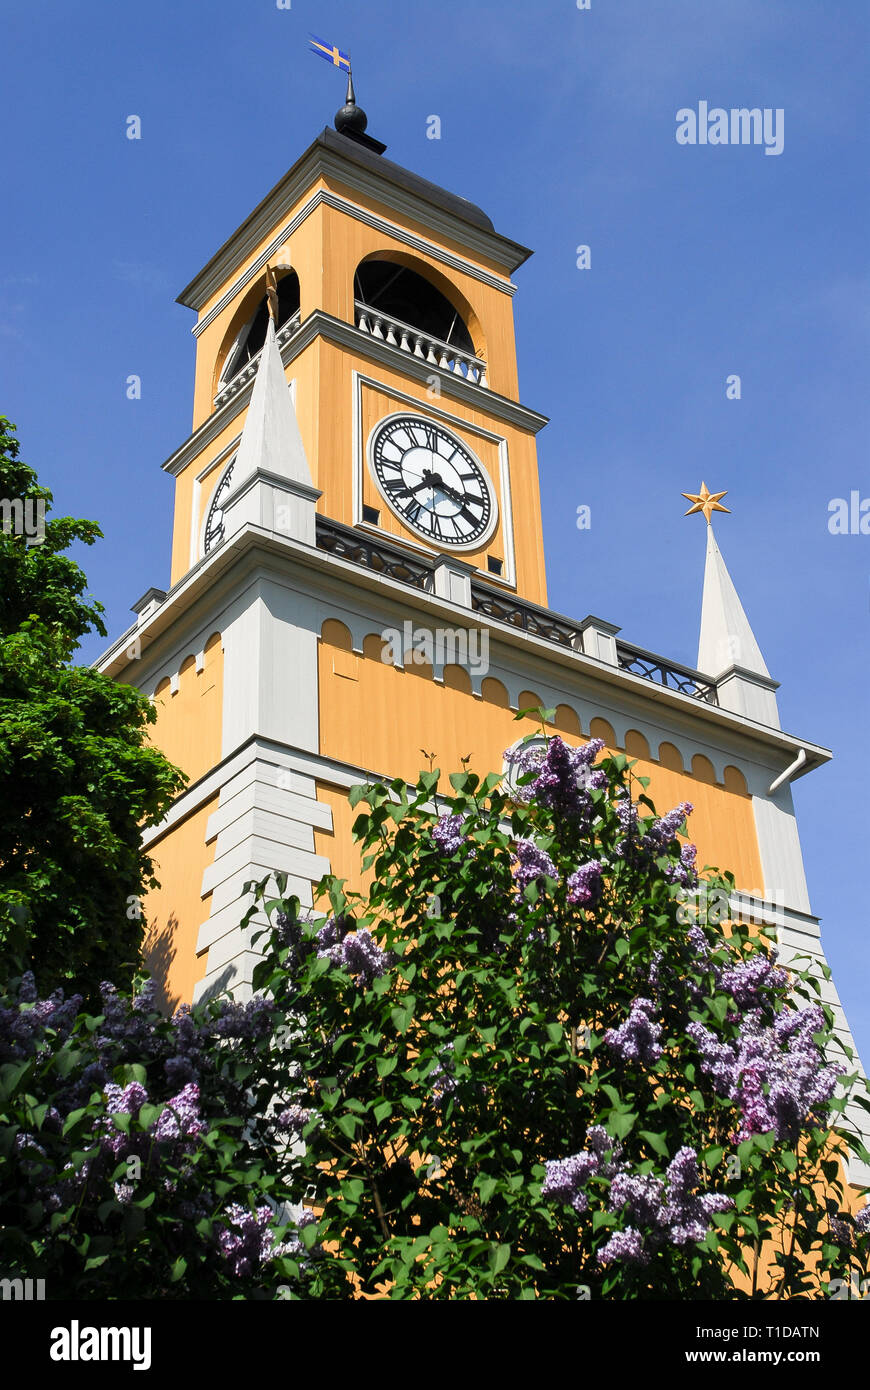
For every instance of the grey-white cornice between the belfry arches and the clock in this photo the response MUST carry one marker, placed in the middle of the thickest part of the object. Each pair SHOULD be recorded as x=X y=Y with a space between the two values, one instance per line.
x=347 y=336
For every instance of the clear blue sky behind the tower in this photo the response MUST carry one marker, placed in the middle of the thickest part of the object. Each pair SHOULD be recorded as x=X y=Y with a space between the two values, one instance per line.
x=561 y=124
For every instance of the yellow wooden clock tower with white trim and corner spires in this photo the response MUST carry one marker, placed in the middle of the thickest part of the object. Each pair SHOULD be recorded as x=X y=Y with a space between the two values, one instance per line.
x=358 y=573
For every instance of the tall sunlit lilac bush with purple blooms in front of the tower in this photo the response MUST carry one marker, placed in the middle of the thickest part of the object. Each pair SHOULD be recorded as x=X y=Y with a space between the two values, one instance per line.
x=532 y=1071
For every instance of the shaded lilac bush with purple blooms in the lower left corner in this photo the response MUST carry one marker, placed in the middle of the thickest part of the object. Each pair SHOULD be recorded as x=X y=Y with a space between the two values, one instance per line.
x=138 y=1161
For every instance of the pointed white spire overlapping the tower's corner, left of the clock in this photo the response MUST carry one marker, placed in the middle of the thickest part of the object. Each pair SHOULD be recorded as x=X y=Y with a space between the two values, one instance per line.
x=272 y=441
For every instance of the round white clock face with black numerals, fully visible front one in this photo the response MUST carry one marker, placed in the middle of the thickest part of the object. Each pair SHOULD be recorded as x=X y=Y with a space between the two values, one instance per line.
x=433 y=482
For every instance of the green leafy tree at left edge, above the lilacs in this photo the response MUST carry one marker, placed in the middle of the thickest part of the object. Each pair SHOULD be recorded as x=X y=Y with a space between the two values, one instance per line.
x=79 y=778
